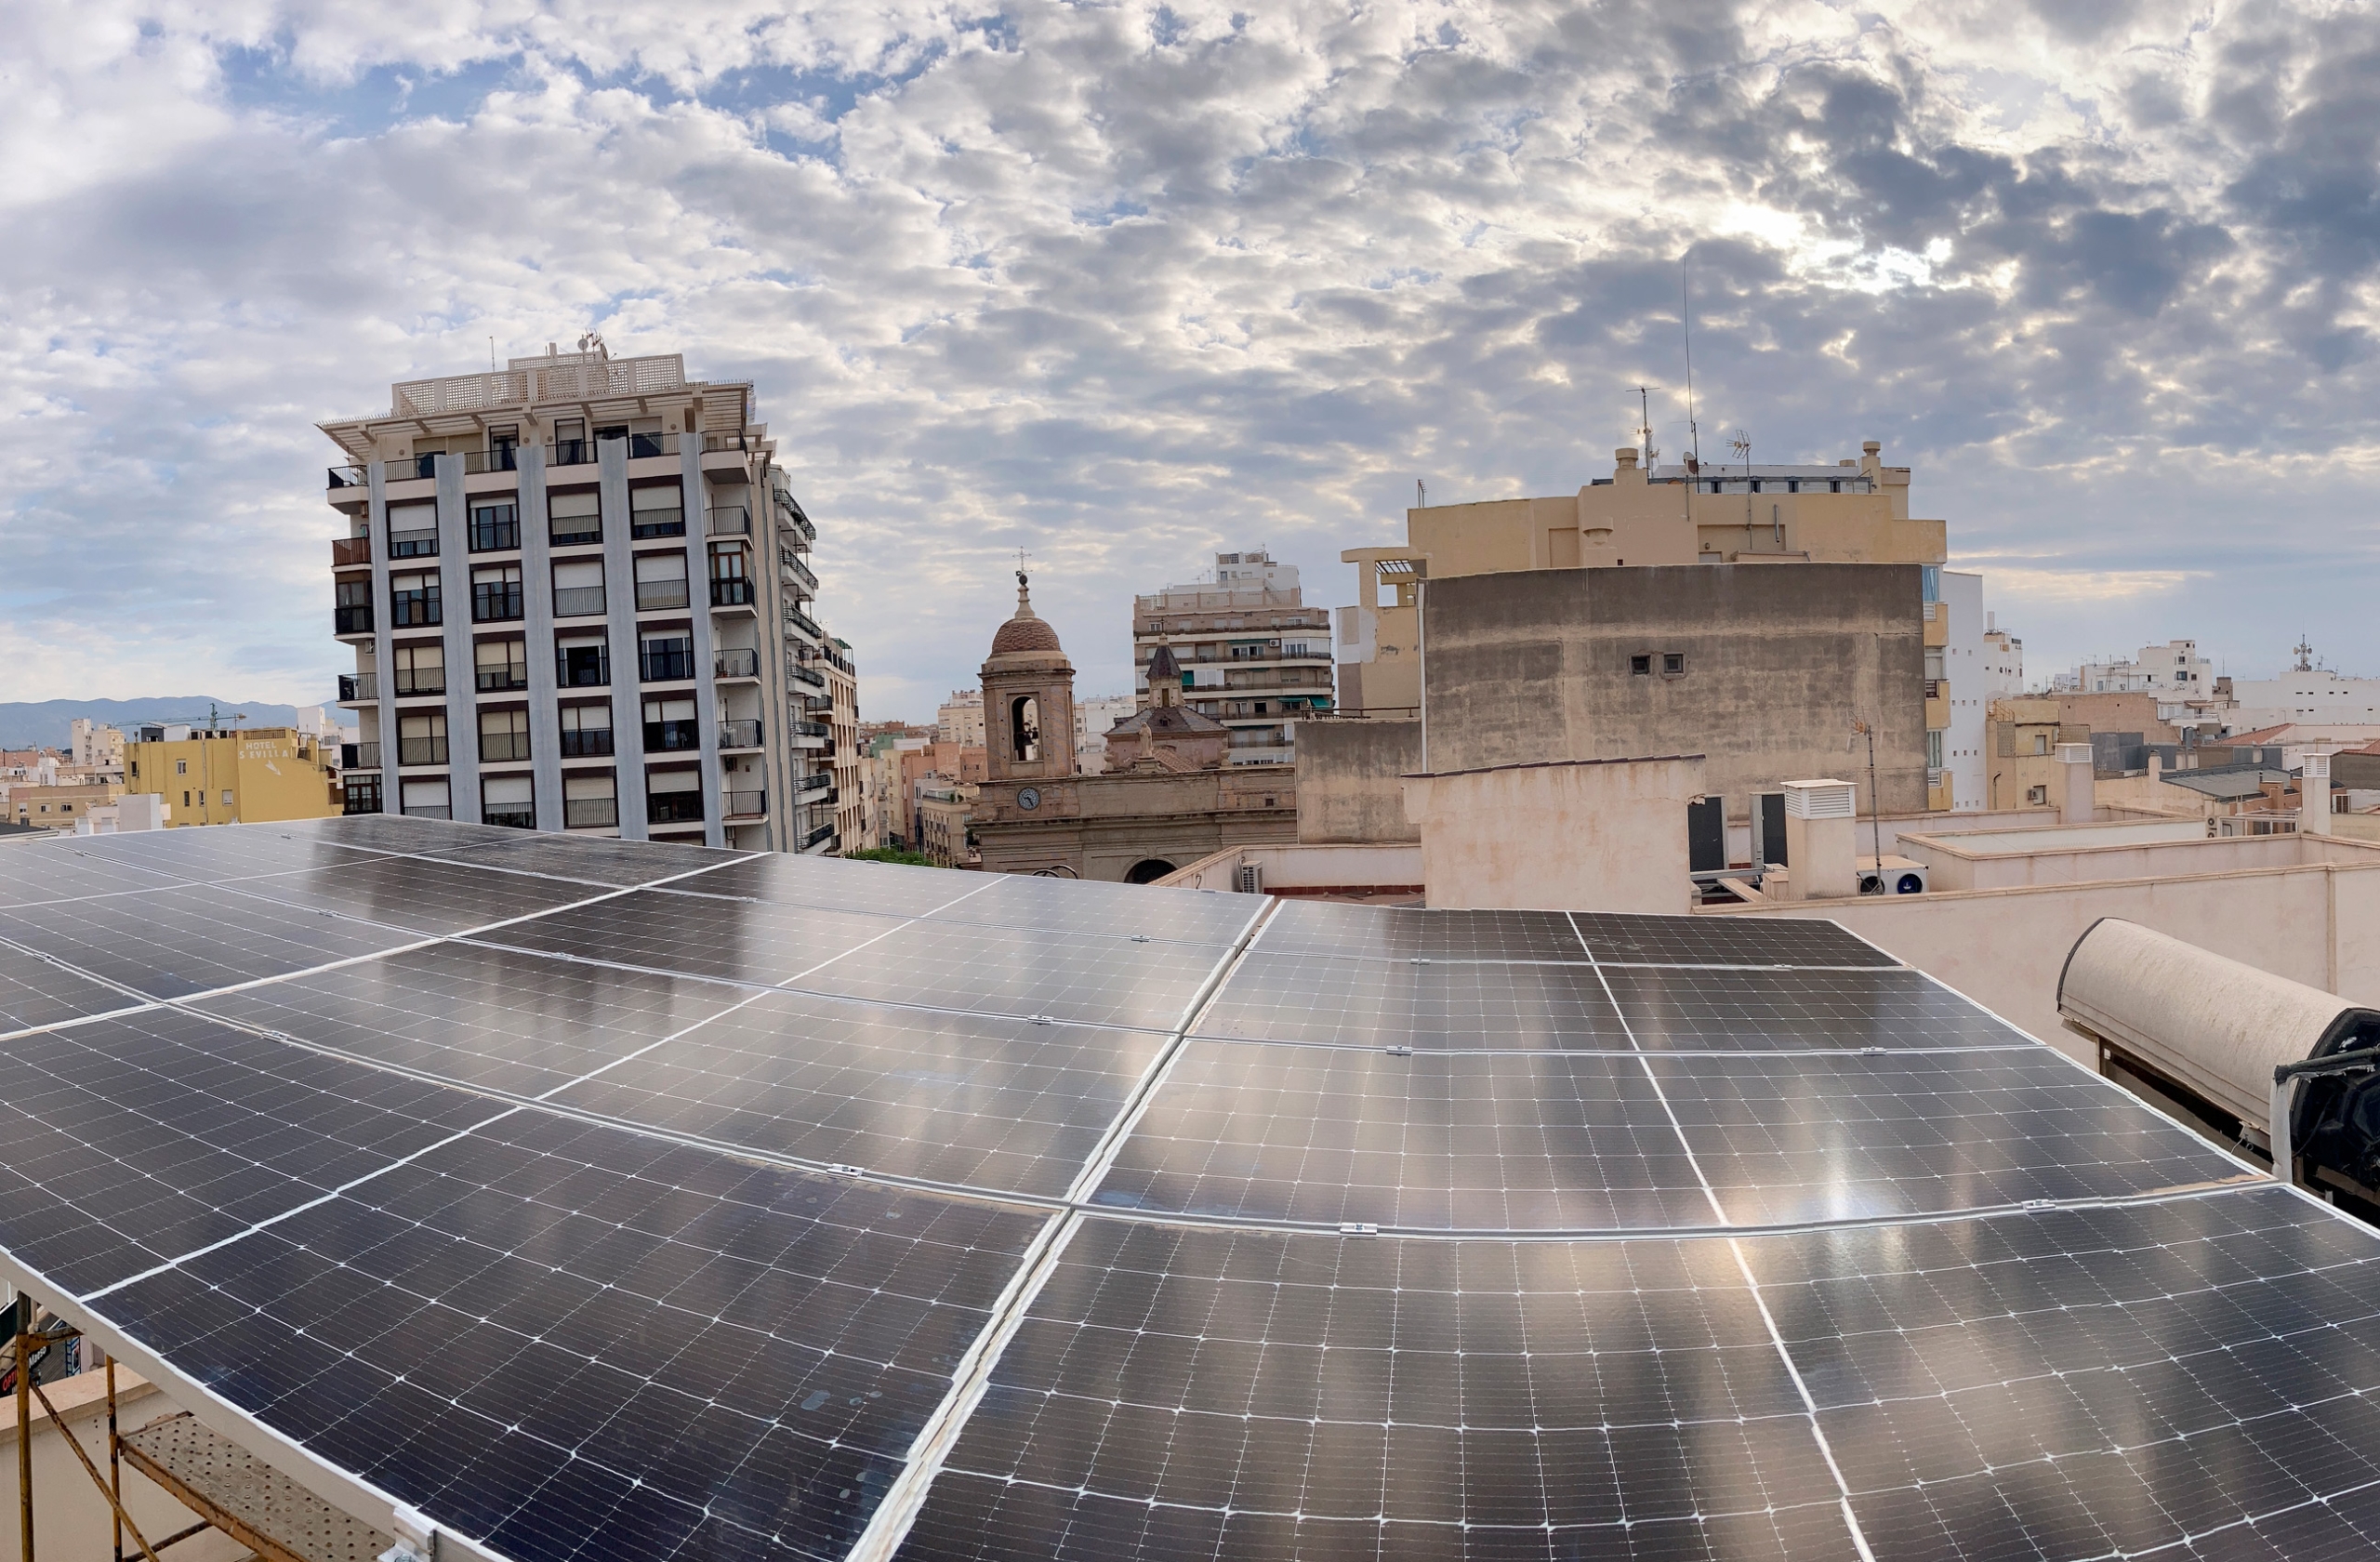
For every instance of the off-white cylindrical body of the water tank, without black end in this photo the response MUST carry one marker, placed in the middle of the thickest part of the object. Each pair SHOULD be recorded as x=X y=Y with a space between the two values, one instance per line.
x=2207 y=1023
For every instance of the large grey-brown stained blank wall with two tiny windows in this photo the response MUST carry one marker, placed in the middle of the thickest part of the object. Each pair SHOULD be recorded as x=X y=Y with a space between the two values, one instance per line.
x=1779 y=663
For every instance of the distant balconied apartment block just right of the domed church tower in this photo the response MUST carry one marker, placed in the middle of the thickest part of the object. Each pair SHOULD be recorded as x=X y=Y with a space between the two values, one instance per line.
x=1253 y=654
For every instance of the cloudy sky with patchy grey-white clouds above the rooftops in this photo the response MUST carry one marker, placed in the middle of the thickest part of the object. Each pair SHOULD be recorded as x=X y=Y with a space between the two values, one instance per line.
x=1125 y=285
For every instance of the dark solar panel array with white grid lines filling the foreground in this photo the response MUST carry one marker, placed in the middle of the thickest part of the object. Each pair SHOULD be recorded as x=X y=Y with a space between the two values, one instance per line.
x=627 y=1201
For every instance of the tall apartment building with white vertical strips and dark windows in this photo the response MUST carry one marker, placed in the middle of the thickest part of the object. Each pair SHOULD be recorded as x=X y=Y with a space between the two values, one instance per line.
x=580 y=599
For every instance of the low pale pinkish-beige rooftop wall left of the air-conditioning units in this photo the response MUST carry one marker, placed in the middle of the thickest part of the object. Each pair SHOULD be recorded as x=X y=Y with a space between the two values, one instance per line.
x=1586 y=835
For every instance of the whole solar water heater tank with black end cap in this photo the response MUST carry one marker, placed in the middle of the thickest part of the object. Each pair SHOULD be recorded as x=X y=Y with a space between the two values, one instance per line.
x=2222 y=1030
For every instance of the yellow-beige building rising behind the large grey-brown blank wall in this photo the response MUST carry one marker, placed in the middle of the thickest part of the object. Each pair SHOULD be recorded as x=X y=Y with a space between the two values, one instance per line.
x=1850 y=513
